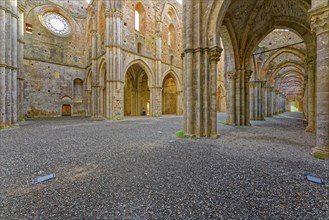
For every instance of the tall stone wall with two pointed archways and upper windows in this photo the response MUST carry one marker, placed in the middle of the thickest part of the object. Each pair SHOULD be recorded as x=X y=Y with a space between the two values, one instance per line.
x=113 y=41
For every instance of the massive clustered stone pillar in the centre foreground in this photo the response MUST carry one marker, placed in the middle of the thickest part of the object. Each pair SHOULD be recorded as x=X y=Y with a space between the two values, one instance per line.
x=196 y=71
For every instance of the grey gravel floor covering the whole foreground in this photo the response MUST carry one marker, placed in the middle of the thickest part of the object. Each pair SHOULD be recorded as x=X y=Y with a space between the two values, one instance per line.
x=130 y=170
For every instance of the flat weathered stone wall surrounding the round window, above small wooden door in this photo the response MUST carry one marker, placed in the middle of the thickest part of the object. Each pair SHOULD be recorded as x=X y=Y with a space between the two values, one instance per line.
x=53 y=62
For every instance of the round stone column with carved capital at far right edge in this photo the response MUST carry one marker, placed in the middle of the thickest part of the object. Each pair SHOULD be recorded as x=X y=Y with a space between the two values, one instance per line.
x=320 y=25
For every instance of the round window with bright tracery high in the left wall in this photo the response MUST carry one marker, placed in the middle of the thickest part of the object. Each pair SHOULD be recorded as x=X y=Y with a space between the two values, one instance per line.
x=57 y=24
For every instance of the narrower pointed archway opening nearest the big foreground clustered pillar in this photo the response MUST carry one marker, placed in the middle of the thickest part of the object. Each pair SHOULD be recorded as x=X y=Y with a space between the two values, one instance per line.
x=169 y=96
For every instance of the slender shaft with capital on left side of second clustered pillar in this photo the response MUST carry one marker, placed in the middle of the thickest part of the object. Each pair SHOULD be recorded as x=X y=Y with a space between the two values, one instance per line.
x=231 y=76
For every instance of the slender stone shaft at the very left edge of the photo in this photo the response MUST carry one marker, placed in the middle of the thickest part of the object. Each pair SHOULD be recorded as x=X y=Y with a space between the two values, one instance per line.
x=2 y=64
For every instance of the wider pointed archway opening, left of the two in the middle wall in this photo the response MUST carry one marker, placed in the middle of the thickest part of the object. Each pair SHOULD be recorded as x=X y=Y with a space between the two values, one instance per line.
x=136 y=92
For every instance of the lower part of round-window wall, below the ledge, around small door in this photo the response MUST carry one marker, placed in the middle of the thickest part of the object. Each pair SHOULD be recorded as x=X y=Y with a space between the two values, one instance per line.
x=46 y=85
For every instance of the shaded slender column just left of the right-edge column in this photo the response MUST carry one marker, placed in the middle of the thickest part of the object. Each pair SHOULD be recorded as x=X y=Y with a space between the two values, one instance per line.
x=311 y=95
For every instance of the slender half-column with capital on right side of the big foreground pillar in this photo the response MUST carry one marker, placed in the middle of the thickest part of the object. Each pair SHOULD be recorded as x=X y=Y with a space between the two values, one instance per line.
x=214 y=58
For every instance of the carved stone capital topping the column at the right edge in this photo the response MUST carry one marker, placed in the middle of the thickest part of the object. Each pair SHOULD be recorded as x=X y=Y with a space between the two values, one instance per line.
x=320 y=20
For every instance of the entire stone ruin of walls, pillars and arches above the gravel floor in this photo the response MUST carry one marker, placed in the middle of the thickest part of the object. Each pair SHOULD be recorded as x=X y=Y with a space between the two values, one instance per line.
x=113 y=59
